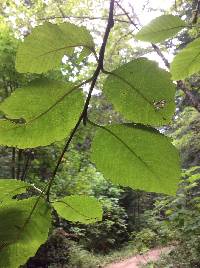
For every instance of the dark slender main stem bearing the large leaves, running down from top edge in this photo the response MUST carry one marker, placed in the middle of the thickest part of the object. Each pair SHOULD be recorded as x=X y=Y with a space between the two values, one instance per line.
x=83 y=115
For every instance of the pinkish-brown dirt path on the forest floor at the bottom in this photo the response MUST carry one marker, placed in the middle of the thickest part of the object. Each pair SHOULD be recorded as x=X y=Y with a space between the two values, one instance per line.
x=138 y=260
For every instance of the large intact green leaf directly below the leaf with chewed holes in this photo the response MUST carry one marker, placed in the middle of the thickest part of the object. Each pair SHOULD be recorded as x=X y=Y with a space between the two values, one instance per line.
x=138 y=157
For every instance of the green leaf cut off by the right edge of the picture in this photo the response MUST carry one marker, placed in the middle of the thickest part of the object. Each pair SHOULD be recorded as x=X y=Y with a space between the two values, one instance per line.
x=186 y=62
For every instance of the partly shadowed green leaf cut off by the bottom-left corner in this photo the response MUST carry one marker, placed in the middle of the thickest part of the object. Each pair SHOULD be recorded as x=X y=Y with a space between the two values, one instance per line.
x=20 y=237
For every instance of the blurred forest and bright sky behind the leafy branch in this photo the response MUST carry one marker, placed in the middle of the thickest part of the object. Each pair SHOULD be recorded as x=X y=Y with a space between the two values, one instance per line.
x=133 y=220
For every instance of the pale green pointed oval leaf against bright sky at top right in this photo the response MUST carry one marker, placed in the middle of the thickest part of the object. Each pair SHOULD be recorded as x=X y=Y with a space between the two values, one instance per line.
x=160 y=29
